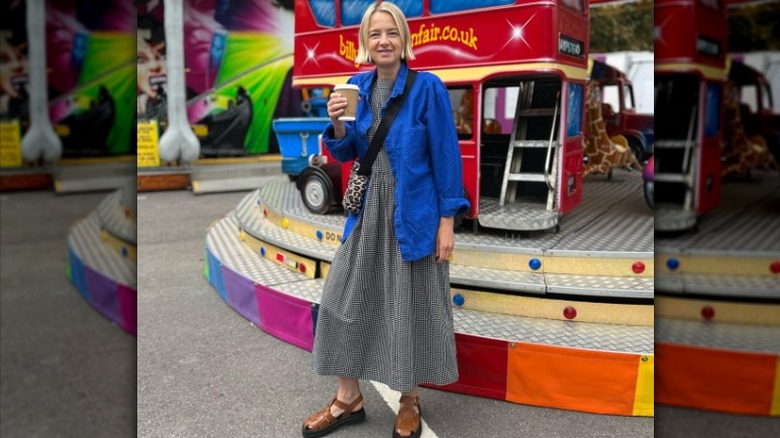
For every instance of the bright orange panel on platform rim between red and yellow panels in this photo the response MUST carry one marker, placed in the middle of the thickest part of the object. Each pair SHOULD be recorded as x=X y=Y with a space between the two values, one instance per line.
x=574 y=379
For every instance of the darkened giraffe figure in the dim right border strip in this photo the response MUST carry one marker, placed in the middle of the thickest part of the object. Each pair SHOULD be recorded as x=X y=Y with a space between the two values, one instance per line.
x=740 y=152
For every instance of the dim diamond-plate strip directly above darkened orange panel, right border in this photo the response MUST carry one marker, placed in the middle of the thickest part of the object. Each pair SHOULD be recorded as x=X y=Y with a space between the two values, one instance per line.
x=752 y=338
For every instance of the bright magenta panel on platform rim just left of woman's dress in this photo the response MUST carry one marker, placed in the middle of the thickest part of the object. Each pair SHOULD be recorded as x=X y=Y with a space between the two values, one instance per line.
x=288 y=318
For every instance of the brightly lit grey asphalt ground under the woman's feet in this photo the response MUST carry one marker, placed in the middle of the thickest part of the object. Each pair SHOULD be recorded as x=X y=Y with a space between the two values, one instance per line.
x=205 y=371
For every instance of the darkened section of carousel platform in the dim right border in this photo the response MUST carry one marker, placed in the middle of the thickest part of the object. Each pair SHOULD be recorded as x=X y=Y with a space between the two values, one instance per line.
x=718 y=304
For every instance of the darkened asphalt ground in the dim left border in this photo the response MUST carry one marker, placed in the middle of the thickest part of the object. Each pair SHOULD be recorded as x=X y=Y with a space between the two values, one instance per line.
x=65 y=370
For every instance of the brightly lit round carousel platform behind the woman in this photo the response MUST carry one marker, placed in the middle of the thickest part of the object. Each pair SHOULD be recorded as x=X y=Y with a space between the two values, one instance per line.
x=549 y=319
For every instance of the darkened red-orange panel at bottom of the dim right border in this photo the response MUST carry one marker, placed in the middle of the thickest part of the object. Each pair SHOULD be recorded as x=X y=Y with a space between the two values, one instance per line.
x=721 y=380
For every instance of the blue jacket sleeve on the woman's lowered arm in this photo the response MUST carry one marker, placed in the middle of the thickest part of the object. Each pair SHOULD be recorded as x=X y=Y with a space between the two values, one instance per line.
x=446 y=161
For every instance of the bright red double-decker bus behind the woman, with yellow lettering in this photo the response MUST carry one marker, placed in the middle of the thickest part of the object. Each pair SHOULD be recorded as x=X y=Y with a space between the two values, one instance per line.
x=511 y=46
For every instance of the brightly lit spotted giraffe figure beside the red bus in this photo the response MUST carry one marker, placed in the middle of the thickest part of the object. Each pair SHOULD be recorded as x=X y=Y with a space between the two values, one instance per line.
x=602 y=153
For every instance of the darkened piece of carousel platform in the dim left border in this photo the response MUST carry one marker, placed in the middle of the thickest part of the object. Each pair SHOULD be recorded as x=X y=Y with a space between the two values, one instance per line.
x=102 y=261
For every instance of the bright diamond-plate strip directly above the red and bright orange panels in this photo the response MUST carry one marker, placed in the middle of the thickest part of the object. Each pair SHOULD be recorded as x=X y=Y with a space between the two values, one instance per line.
x=591 y=336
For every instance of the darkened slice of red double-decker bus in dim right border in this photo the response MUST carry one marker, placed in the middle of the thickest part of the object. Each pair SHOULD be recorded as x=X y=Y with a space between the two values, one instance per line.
x=690 y=64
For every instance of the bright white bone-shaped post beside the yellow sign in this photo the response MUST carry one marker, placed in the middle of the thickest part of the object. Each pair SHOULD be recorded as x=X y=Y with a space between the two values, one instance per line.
x=178 y=141
